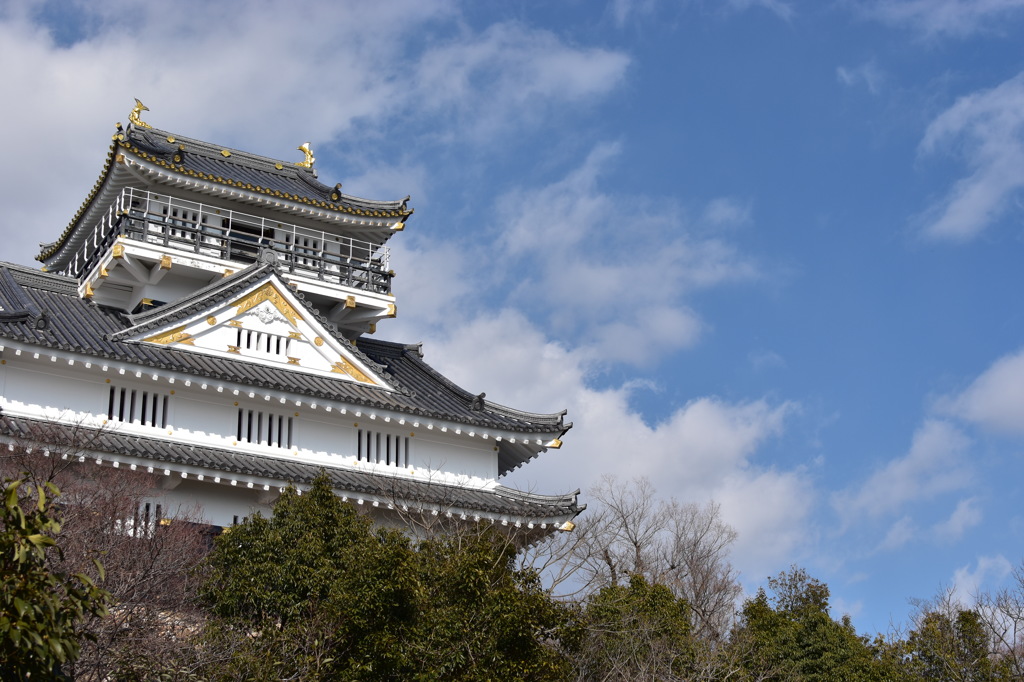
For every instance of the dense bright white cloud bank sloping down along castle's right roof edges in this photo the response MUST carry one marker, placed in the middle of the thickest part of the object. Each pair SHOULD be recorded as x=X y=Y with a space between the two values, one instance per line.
x=705 y=450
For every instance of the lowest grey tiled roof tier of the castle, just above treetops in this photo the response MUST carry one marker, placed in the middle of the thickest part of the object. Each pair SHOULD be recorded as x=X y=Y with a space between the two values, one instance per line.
x=499 y=501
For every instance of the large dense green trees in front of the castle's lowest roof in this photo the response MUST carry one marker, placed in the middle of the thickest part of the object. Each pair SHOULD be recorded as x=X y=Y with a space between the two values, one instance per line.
x=317 y=593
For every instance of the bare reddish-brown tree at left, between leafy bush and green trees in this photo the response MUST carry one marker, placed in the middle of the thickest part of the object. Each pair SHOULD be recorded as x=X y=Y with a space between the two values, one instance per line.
x=149 y=558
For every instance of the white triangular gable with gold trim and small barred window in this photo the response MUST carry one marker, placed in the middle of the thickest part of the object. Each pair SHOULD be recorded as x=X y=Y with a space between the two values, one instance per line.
x=265 y=324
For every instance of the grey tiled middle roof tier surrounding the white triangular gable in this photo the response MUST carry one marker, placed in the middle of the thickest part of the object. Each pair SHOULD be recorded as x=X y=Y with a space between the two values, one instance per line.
x=75 y=325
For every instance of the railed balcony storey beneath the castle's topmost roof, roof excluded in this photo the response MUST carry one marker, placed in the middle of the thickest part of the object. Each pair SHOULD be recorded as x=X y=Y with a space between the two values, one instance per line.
x=127 y=259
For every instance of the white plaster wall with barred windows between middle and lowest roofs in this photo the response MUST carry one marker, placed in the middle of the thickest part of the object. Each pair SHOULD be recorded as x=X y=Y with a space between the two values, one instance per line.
x=206 y=417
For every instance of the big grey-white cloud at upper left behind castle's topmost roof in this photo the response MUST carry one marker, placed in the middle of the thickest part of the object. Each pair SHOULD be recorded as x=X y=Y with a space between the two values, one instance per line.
x=322 y=72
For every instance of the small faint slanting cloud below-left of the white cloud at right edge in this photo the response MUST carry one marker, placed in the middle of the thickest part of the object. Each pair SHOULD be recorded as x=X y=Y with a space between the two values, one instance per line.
x=935 y=464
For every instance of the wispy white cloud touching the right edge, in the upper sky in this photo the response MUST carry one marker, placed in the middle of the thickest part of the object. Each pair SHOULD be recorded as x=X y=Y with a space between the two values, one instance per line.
x=987 y=129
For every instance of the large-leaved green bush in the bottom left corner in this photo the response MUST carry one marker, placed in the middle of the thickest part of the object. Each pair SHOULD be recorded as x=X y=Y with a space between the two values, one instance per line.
x=41 y=612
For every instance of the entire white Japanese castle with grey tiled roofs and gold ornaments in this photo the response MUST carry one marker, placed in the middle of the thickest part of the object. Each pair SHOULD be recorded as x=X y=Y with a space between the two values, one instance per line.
x=204 y=318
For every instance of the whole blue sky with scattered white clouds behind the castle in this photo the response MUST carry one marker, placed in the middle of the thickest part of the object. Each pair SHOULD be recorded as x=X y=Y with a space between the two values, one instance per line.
x=766 y=253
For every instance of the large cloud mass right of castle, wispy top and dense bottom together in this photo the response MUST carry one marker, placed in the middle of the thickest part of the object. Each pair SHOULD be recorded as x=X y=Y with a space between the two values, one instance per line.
x=573 y=253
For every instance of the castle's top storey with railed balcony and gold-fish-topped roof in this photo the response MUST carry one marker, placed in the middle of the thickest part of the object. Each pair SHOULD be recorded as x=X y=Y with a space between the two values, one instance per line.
x=170 y=216
